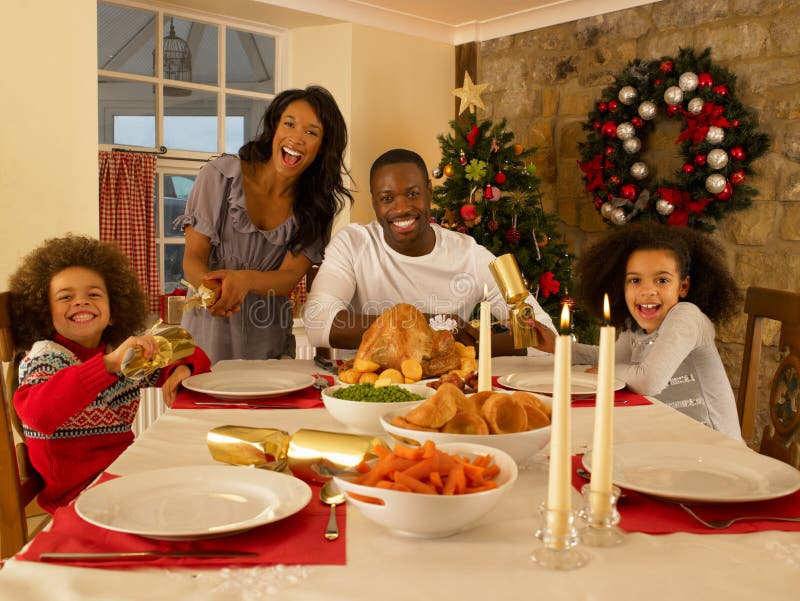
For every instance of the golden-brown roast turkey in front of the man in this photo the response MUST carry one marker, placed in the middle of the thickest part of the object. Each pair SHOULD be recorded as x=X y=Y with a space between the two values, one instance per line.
x=402 y=332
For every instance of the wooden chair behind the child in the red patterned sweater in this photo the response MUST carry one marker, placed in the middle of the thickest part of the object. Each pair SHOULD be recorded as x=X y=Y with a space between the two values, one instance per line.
x=19 y=483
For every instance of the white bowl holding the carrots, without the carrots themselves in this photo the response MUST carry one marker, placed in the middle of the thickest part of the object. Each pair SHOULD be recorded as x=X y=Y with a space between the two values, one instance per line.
x=433 y=516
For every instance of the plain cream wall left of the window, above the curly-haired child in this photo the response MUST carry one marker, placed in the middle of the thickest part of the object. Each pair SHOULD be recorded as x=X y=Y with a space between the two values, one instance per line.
x=48 y=145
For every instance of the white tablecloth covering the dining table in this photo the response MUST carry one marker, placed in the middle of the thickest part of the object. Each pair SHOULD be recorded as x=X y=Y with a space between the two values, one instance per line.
x=490 y=561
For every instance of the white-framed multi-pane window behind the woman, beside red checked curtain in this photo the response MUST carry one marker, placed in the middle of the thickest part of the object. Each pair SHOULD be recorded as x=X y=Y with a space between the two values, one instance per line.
x=165 y=81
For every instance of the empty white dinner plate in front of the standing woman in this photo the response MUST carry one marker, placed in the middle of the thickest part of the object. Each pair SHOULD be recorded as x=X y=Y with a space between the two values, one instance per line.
x=248 y=384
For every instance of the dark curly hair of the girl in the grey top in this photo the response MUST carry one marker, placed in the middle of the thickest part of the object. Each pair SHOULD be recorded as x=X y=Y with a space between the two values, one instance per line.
x=602 y=268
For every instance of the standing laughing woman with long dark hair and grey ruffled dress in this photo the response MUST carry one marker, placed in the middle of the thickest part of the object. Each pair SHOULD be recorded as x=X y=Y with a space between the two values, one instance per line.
x=256 y=223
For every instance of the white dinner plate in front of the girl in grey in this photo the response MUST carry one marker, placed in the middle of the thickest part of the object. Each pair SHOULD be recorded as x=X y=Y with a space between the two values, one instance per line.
x=683 y=471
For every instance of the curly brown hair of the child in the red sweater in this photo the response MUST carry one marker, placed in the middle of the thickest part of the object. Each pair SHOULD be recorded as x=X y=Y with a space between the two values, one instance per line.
x=29 y=288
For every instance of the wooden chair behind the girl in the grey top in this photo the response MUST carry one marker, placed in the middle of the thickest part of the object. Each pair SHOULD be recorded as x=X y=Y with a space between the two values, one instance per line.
x=781 y=437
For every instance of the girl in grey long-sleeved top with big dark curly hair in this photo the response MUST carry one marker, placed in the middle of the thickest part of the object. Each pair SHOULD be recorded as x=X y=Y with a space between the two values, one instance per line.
x=666 y=285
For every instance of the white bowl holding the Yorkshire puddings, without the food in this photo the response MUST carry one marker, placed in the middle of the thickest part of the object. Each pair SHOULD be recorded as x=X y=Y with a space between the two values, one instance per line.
x=519 y=445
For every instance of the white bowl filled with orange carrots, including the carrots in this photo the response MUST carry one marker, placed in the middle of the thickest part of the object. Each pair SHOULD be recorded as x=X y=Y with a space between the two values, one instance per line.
x=430 y=491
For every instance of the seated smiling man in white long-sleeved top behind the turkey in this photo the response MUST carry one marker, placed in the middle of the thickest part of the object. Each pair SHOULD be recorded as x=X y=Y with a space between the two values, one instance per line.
x=402 y=257
